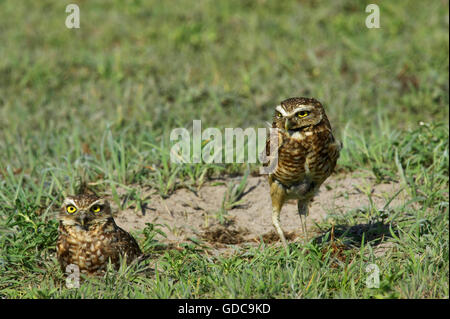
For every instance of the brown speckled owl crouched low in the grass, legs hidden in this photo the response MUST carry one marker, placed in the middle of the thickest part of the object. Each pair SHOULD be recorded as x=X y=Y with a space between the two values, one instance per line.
x=89 y=237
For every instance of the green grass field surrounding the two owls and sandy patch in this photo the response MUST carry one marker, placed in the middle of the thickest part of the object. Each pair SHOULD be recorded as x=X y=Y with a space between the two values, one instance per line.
x=96 y=106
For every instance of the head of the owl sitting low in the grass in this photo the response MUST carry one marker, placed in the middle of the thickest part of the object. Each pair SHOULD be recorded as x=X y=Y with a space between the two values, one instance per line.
x=84 y=211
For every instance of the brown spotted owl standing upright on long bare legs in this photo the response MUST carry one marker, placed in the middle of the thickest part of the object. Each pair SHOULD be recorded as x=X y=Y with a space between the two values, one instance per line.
x=307 y=154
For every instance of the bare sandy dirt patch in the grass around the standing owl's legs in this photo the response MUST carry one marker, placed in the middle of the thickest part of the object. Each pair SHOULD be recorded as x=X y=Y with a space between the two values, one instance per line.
x=187 y=214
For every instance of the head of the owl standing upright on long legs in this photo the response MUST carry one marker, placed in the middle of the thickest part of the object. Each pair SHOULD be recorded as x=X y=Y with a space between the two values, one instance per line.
x=297 y=113
